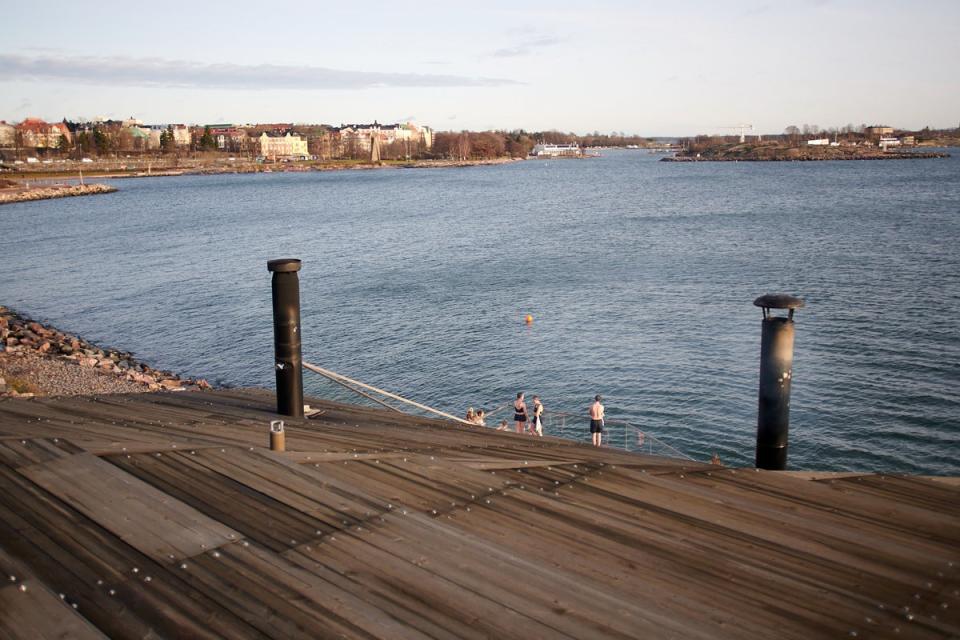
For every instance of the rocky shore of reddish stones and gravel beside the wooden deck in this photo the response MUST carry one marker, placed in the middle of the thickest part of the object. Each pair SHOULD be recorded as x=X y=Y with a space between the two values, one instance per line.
x=38 y=360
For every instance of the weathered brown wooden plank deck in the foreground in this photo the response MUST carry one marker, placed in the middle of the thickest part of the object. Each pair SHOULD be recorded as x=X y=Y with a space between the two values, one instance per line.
x=163 y=515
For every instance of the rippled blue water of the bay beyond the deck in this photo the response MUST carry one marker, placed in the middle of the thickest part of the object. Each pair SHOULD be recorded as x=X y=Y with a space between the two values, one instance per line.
x=640 y=275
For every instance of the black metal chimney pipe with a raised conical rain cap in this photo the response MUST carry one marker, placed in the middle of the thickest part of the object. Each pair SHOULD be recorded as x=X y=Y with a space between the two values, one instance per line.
x=776 y=374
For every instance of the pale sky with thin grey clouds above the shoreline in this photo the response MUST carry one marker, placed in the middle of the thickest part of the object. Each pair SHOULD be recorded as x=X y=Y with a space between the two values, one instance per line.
x=653 y=68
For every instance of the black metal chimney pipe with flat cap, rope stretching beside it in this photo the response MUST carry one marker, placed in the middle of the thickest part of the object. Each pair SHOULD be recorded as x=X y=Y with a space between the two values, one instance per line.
x=286 y=336
